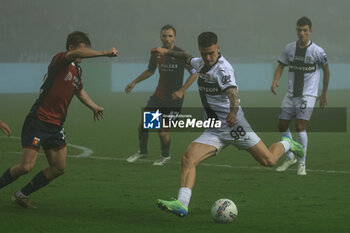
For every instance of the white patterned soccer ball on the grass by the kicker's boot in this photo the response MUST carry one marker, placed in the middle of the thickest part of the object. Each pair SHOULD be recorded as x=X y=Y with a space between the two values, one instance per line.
x=224 y=211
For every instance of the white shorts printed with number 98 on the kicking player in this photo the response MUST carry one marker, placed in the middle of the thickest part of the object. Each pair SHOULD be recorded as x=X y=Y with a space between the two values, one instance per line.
x=240 y=135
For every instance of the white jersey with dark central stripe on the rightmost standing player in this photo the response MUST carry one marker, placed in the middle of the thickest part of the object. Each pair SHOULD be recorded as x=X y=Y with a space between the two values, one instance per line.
x=304 y=68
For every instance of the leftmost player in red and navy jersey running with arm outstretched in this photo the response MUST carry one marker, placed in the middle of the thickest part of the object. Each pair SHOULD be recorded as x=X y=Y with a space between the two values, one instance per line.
x=43 y=125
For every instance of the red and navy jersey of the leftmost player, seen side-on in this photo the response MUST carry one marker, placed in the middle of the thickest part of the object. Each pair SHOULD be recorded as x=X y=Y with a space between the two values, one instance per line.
x=61 y=82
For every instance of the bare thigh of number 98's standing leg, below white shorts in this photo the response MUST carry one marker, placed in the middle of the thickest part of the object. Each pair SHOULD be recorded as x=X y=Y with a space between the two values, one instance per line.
x=197 y=152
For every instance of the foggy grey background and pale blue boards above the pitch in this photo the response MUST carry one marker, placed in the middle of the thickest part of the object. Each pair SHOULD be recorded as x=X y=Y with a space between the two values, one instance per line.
x=251 y=33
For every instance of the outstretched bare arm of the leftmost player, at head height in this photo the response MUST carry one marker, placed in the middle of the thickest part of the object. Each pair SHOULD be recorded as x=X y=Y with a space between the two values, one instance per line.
x=86 y=52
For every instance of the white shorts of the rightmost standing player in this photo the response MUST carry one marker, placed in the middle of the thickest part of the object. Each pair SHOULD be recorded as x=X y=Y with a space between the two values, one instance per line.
x=297 y=107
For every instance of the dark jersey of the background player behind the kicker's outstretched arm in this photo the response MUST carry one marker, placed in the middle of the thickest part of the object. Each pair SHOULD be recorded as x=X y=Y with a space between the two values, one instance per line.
x=171 y=75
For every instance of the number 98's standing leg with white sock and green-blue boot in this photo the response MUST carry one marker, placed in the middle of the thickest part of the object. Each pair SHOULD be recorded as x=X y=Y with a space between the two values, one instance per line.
x=195 y=153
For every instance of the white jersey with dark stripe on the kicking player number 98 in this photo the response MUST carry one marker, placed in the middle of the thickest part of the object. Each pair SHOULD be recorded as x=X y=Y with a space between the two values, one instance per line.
x=212 y=83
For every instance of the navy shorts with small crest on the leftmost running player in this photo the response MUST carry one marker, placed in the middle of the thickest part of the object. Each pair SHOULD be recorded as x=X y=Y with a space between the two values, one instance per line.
x=36 y=133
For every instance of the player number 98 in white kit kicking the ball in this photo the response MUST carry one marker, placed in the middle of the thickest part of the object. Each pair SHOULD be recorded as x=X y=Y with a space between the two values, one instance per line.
x=218 y=91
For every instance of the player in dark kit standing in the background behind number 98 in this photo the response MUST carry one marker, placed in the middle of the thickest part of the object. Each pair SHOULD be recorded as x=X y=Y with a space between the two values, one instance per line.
x=168 y=95
